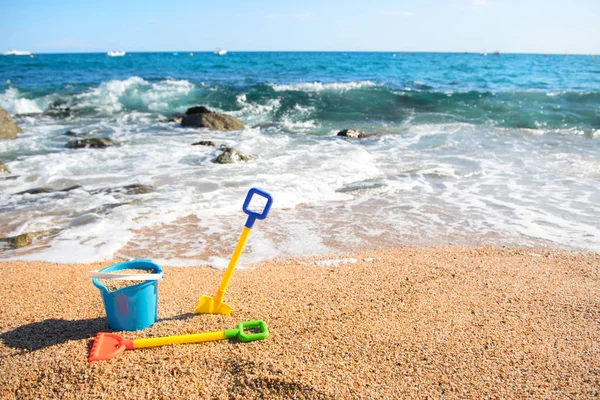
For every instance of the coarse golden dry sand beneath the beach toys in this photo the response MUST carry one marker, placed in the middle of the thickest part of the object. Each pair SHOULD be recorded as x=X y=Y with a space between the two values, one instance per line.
x=404 y=323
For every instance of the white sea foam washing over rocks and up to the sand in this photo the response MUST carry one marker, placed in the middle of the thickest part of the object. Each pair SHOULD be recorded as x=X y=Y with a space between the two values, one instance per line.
x=425 y=184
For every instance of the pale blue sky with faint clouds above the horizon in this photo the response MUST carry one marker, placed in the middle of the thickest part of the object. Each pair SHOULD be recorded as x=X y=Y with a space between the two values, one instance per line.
x=507 y=26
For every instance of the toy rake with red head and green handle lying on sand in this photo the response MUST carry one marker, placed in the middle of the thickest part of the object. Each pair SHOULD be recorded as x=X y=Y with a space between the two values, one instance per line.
x=109 y=345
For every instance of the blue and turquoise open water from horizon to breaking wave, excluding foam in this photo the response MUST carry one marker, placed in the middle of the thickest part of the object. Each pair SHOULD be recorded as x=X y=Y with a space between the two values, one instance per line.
x=518 y=91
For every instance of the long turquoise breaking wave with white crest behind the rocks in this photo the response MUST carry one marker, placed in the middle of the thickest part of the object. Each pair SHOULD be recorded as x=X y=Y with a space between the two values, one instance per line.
x=306 y=107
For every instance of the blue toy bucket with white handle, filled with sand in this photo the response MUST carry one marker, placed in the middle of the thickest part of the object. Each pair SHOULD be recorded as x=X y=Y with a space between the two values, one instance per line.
x=133 y=307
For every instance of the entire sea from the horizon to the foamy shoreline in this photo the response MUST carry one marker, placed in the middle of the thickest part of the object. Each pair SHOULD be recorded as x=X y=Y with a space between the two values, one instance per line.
x=462 y=149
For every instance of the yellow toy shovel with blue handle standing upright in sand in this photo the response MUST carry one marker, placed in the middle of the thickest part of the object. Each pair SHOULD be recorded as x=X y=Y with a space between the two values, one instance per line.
x=215 y=305
